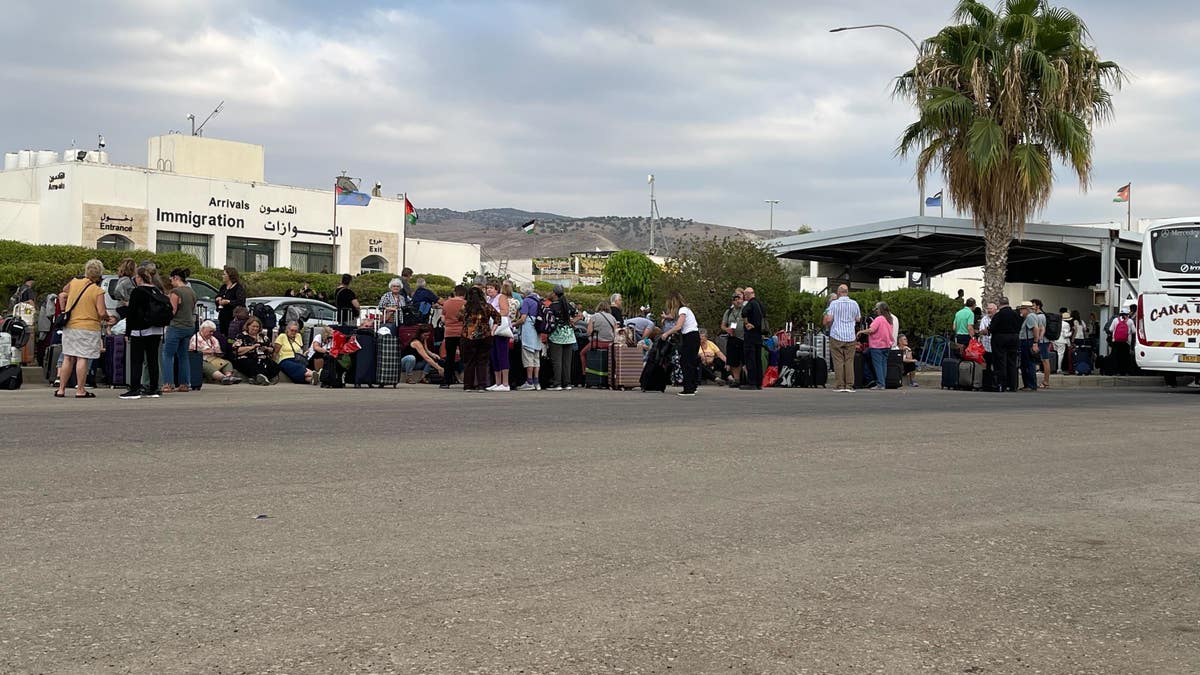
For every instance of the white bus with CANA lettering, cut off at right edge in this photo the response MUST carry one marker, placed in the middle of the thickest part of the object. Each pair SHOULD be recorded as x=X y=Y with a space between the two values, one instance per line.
x=1169 y=300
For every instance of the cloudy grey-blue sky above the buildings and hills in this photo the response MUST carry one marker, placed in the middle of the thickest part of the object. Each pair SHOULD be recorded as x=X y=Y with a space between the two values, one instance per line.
x=567 y=105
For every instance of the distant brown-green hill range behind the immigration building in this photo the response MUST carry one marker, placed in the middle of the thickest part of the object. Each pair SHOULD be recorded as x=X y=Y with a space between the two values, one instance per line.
x=499 y=231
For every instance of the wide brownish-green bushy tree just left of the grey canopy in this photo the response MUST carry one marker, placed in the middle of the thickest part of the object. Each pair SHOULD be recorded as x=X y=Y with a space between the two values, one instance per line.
x=706 y=272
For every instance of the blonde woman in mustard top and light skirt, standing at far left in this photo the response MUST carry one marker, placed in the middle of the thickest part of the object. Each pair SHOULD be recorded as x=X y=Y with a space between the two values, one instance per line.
x=81 y=336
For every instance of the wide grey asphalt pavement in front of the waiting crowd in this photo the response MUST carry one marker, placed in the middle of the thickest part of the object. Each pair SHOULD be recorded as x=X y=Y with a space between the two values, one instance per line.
x=299 y=530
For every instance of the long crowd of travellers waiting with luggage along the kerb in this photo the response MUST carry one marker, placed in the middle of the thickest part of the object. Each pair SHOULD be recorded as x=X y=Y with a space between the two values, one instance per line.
x=490 y=334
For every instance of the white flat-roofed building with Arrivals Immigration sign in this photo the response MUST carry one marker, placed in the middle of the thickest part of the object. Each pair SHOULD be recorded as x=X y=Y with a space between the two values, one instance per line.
x=207 y=198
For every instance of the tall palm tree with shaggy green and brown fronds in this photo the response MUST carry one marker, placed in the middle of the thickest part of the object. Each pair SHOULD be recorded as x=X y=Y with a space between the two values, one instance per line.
x=1001 y=95
